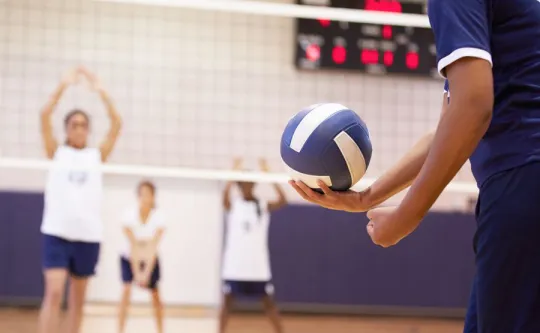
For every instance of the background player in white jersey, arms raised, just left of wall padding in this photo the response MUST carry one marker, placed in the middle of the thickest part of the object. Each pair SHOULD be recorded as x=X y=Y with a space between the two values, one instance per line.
x=246 y=262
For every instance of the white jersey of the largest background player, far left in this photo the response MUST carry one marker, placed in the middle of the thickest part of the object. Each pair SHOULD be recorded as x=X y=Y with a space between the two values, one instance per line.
x=73 y=195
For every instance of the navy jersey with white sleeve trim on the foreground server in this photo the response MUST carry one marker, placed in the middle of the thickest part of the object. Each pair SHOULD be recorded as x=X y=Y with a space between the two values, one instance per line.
x=505 y=33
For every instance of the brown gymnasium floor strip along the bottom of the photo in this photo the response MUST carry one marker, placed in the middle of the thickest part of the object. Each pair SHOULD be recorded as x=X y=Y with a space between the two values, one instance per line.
x=23 y=321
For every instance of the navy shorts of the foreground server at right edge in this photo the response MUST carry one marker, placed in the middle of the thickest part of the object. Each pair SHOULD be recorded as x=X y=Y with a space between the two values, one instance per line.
x=505 y=295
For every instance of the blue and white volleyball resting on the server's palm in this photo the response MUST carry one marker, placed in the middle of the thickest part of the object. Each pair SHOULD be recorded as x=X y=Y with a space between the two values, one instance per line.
x=329 y=142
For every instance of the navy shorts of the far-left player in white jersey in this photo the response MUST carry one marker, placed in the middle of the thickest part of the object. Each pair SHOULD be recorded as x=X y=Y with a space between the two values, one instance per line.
x=78 y=258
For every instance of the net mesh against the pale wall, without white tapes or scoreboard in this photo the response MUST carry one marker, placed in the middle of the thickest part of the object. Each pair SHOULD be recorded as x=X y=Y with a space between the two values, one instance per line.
x=195 y=88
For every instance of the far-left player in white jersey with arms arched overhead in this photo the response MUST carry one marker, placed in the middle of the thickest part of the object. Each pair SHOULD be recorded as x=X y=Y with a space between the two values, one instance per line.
x=72 y=223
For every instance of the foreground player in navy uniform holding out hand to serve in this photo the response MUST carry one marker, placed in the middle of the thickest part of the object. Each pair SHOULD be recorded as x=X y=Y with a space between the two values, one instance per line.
x=489 y=51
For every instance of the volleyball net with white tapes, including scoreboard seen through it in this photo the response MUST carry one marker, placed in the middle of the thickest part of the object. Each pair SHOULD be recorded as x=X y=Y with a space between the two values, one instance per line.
x=199 y=82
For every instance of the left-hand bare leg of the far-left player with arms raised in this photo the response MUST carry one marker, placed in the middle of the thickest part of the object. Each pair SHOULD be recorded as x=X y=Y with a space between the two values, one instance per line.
x=55 y=281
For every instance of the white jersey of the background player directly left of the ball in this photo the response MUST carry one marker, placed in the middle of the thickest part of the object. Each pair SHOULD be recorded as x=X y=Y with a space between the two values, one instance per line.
x=246 y=255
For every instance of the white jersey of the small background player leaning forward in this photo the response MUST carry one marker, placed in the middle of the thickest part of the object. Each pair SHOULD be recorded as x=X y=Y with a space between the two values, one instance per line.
x=142 y=231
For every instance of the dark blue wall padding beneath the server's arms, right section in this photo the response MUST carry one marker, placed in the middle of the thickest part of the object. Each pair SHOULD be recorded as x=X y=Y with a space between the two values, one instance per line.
x=326 y=257
